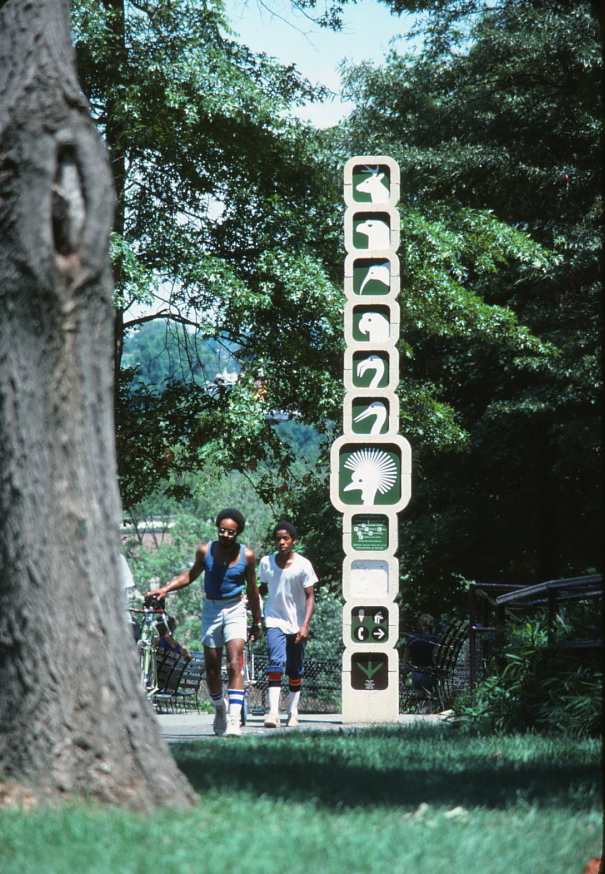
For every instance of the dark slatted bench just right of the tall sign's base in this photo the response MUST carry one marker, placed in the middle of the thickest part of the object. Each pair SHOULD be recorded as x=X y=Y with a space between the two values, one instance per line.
x=444 y=672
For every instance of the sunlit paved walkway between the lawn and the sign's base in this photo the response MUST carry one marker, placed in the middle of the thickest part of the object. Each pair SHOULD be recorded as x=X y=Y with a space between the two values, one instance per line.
x=181 y=727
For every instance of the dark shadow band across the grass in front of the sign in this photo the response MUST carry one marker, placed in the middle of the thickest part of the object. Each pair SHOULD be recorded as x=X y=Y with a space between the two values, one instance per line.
x=399 y=767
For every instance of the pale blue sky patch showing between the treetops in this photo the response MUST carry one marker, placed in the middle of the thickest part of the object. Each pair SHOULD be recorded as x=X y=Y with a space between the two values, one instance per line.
x=275 y=28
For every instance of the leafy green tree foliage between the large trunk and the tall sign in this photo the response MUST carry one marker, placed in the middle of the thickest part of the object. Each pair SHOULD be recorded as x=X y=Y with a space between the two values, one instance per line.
x=221 y=220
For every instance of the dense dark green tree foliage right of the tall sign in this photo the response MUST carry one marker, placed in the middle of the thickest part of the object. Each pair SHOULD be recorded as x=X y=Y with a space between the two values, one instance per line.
x=495 y=127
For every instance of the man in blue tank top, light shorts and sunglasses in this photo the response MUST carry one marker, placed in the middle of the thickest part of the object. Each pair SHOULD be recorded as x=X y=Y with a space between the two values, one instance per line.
x=229 y=569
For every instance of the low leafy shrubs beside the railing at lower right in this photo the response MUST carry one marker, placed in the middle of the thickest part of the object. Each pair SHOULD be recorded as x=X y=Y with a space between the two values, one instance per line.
x=536 y=688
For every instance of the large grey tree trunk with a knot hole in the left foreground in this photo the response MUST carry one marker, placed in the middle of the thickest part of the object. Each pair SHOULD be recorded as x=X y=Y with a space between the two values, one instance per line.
x=72 y=717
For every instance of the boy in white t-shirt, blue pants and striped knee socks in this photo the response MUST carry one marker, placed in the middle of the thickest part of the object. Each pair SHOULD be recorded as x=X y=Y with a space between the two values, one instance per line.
x=288 y=578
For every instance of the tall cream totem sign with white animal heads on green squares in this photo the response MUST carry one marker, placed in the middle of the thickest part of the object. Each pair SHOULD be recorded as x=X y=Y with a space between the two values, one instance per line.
x=371 y=463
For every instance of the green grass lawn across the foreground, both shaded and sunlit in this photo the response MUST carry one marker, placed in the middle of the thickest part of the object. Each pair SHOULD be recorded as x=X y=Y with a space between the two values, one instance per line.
x=414 y=800
